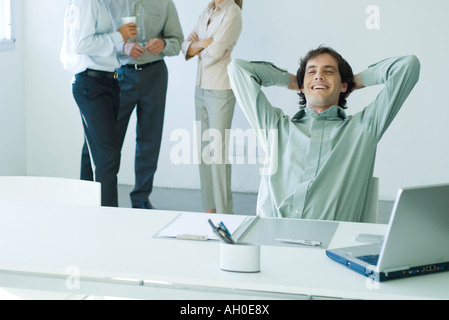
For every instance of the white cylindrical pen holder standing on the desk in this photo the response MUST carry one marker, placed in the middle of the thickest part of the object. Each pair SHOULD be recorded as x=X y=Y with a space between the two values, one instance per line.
x=240 y=257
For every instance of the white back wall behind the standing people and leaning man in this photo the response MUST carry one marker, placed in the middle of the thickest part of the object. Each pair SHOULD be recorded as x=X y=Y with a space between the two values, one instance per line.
x=414 y=151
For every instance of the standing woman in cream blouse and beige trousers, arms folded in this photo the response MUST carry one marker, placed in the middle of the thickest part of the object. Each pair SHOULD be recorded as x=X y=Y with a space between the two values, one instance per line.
x=212 y=40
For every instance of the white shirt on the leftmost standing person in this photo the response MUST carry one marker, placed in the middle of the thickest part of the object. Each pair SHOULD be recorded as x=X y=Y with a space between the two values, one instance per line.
x=89 y=38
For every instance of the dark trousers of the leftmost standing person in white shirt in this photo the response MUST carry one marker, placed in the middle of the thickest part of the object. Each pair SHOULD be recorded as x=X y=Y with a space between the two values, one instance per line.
x=99 y=100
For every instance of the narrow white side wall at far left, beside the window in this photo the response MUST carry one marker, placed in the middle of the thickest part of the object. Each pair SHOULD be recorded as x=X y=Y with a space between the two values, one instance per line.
x=12 y=103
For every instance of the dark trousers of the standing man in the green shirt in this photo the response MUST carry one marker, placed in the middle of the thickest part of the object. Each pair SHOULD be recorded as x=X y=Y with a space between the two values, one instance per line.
x=145 y=91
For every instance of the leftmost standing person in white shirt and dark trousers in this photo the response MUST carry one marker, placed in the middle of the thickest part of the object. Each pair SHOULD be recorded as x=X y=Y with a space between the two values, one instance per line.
x=89 y=53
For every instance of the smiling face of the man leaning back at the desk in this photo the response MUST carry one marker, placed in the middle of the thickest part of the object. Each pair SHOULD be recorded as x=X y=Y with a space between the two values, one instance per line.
x=322 y=83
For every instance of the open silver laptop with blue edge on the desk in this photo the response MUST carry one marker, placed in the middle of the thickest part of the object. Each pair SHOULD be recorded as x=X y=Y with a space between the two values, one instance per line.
x=416 y=242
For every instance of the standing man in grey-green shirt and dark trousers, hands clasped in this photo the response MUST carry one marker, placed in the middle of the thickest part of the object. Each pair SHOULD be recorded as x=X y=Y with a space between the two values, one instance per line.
x=143 y=79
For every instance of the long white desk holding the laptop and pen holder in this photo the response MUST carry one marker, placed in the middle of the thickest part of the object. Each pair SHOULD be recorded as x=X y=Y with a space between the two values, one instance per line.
x=111 y=252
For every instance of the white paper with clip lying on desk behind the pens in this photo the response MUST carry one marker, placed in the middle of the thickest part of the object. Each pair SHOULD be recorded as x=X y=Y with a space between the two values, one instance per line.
x=195 y=226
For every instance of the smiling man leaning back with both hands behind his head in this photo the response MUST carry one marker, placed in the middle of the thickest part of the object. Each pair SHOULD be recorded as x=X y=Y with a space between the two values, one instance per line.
x=324 y=157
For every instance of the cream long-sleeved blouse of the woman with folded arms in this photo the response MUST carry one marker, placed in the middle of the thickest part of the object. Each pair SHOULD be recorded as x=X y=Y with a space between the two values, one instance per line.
x=224 y=25
